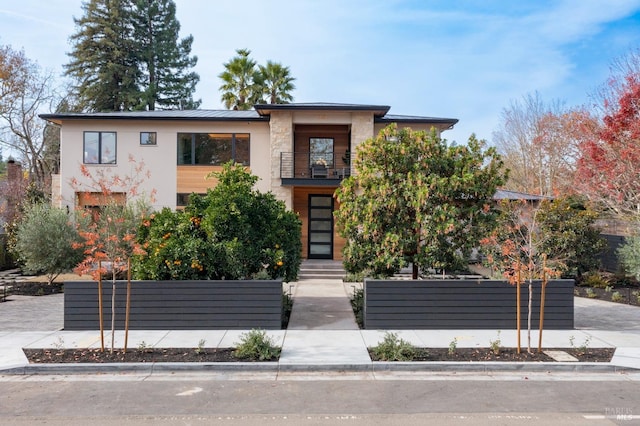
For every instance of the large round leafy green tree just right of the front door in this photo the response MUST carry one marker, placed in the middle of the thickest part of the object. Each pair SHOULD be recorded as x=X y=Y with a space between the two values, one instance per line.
x=416 y=200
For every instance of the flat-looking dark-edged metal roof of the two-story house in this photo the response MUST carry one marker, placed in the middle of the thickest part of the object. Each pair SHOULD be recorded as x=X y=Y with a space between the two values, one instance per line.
x=261 y=112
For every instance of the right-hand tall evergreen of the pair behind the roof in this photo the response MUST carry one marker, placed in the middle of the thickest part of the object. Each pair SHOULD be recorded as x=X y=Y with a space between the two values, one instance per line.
x=166 y=80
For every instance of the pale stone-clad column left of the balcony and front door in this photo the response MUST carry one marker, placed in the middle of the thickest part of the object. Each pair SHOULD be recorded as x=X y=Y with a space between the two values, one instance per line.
x=281 y=140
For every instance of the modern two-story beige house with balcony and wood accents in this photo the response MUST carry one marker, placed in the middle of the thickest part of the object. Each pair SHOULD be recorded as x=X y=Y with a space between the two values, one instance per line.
x=300 y=152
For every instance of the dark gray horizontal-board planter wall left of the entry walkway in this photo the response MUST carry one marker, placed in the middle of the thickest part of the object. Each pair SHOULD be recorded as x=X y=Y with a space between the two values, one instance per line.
x=177 y=305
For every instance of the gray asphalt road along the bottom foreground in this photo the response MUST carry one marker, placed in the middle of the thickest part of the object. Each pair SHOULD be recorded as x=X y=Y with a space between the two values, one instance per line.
x=194 y=400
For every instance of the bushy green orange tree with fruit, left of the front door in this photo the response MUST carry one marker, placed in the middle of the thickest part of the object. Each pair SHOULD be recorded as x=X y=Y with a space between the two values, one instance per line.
x=233 y=232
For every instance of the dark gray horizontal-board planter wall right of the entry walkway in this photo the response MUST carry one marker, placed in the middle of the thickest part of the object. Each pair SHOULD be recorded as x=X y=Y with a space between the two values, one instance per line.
x=462 y=304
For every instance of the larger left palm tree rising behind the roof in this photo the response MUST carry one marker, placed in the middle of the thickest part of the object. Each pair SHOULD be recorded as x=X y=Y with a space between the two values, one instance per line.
x=239 y=90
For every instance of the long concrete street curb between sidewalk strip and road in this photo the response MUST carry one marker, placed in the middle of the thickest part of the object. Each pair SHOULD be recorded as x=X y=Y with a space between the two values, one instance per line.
x=275 y=367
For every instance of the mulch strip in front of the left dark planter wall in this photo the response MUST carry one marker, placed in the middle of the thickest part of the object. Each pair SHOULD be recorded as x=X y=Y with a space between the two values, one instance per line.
x=52 y=356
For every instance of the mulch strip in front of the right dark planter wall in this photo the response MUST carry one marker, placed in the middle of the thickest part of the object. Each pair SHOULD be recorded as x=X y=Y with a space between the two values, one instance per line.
x=507 y=354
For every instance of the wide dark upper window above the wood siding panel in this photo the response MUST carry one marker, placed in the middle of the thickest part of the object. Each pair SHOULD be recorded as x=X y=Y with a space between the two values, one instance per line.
x=213 y=149
